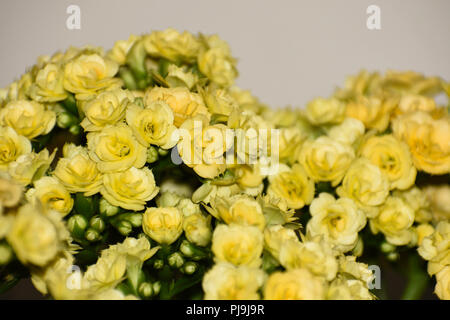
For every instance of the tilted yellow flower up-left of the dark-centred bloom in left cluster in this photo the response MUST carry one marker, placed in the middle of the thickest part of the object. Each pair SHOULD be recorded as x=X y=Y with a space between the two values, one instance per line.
x=107 y=108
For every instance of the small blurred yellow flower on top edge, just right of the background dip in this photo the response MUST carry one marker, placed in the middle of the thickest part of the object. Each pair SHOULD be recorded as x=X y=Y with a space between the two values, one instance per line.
x=325 y=111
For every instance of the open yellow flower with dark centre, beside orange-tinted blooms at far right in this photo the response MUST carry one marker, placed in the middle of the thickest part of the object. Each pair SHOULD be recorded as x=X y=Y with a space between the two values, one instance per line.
x=392 y=157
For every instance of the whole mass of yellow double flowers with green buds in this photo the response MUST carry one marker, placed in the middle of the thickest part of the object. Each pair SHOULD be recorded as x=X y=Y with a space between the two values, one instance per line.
x=144 y=172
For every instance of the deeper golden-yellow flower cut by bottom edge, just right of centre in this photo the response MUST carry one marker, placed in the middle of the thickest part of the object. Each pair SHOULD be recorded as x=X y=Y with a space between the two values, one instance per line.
x=296 y=284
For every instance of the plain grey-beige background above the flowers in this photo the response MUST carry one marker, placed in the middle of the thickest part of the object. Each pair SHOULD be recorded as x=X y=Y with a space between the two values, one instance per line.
x=289 y=51
